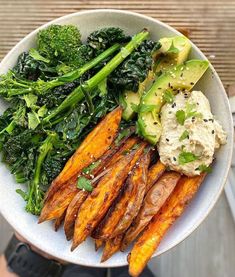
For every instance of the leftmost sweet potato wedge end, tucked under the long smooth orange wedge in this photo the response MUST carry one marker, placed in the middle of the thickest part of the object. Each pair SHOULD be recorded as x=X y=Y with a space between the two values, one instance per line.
x=58 y=203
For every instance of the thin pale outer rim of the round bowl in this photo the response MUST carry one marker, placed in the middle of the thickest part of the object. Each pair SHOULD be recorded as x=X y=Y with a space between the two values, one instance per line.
x=158 y=22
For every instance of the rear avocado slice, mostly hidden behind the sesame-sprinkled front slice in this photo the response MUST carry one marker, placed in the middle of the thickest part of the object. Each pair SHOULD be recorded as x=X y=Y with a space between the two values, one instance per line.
x=174 y=50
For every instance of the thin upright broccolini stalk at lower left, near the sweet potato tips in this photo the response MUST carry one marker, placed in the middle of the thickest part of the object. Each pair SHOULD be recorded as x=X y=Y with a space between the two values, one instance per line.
x=35 y=196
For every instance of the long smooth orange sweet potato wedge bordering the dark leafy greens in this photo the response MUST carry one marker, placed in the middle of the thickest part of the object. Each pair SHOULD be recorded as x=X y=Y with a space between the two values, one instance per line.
x=103 y=135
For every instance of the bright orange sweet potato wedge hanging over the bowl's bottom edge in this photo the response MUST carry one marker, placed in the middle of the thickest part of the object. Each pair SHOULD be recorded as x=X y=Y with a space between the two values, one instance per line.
x=171 y=210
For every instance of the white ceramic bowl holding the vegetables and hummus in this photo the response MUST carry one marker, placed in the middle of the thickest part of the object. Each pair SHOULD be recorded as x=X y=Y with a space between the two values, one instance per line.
x=43 y=235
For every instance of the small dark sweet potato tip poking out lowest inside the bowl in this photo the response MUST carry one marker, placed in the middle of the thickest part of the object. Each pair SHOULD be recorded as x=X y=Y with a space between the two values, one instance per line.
x=111 y=247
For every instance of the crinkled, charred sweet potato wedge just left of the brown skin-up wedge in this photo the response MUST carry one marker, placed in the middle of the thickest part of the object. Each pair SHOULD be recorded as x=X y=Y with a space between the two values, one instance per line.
x=126 y=208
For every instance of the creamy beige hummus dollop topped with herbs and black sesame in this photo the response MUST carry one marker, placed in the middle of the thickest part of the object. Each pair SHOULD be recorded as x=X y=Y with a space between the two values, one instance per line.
x=190 y=134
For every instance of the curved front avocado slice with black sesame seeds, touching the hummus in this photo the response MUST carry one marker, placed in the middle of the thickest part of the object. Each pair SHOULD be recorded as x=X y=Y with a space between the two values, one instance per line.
x=181 y=77
